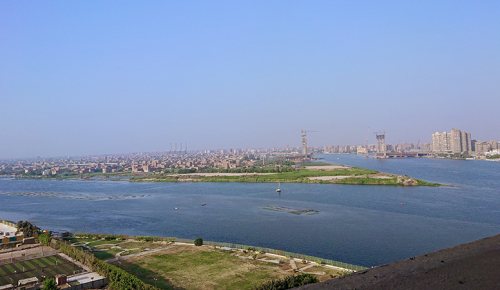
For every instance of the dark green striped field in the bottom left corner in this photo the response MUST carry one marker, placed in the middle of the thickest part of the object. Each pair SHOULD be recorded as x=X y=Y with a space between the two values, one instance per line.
x=46 y=266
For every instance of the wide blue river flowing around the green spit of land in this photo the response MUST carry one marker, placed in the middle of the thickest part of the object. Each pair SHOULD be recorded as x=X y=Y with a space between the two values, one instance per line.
x=365 y=225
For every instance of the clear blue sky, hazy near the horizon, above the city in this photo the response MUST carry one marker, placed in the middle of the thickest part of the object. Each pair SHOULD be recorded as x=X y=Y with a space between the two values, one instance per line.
x=93 y=77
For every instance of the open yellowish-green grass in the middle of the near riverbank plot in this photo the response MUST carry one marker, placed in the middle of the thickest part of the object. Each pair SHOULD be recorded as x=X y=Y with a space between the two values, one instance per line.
x=189 y=267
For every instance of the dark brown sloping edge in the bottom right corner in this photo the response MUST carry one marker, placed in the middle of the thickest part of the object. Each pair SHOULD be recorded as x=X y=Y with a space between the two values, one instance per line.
x=467 y=266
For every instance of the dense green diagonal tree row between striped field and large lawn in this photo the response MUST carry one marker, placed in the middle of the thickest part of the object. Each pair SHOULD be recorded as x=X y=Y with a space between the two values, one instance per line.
x=118 y=278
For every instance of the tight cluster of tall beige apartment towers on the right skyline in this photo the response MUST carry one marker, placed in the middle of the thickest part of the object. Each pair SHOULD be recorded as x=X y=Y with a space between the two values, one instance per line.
x=455 y=141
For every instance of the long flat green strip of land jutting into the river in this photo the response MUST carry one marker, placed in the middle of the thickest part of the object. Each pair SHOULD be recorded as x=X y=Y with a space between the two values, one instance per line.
x=307 y=172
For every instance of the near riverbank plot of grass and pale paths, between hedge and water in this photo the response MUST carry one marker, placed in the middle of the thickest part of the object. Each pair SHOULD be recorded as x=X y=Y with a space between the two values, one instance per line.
x=172 y=263
